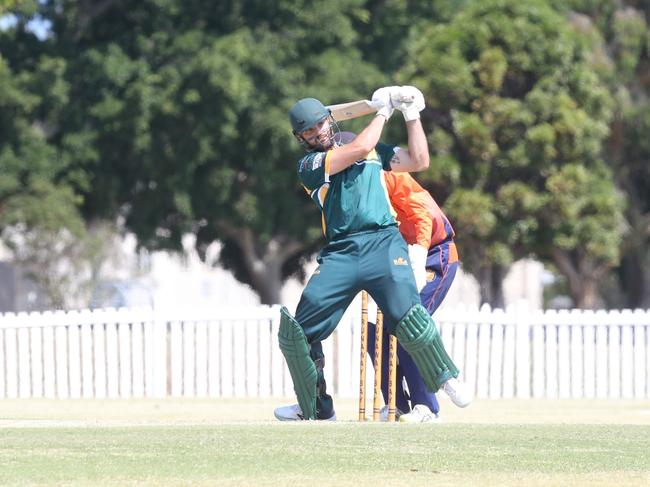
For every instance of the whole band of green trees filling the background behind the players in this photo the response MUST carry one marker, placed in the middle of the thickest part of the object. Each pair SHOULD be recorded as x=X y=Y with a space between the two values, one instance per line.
x=170 y=116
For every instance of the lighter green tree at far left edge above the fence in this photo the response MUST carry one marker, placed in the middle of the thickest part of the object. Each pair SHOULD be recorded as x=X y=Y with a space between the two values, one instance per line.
x=39 y=217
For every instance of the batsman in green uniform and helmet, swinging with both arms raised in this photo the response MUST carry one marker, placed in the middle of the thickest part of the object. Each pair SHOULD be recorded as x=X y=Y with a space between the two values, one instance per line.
x=365 y=249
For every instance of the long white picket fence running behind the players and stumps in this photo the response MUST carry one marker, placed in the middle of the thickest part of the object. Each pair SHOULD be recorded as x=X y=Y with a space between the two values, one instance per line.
x=234 y=353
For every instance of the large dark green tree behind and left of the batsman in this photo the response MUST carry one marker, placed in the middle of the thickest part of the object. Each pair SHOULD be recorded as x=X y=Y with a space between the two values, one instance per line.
x=179 y=119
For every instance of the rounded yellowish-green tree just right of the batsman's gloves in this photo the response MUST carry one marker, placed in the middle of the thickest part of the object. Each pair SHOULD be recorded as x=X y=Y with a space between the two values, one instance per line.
x=513 y=100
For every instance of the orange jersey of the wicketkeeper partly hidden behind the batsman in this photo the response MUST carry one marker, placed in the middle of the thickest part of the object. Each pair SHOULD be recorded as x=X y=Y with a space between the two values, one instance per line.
x=420 y=218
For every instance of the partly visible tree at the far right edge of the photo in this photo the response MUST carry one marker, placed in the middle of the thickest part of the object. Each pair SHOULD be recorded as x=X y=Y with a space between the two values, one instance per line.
x=620 y=32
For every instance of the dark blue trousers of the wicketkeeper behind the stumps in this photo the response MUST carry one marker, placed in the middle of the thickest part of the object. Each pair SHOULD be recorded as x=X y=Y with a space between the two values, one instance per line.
x=432 y=295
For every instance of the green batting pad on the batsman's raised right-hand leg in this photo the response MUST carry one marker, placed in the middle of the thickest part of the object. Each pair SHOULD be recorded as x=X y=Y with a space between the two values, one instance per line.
x=418 y=334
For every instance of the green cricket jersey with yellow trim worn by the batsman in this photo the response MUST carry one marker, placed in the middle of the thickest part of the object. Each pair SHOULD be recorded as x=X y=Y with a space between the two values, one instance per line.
x=353 y=200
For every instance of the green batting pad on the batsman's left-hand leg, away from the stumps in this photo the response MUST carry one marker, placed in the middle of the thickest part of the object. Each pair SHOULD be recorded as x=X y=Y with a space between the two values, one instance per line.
x=294 y=347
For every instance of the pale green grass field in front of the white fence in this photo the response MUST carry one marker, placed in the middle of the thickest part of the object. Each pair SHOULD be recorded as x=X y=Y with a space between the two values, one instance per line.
x=235 y=442
